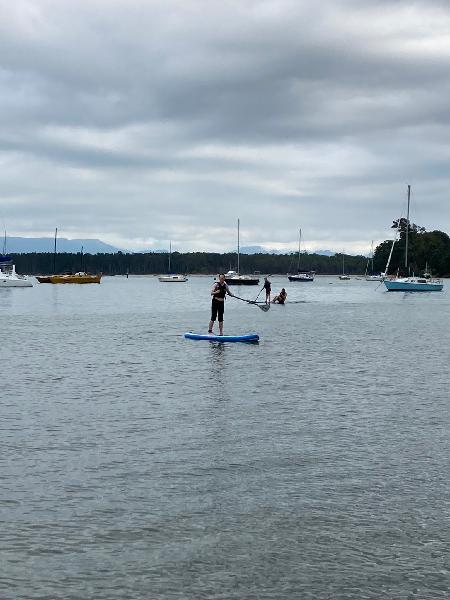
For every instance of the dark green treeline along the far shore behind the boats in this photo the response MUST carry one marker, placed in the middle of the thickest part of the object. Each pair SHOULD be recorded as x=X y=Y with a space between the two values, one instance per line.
x=429 y=249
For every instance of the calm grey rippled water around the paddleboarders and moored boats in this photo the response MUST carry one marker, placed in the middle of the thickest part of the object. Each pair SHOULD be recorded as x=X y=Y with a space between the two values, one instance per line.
x=135 y=464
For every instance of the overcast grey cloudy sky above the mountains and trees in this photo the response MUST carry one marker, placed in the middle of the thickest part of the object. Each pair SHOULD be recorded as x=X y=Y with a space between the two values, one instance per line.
x=140 y=121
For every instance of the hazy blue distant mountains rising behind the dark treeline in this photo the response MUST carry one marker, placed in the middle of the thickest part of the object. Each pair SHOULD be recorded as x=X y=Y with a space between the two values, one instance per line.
x=22 y=245
